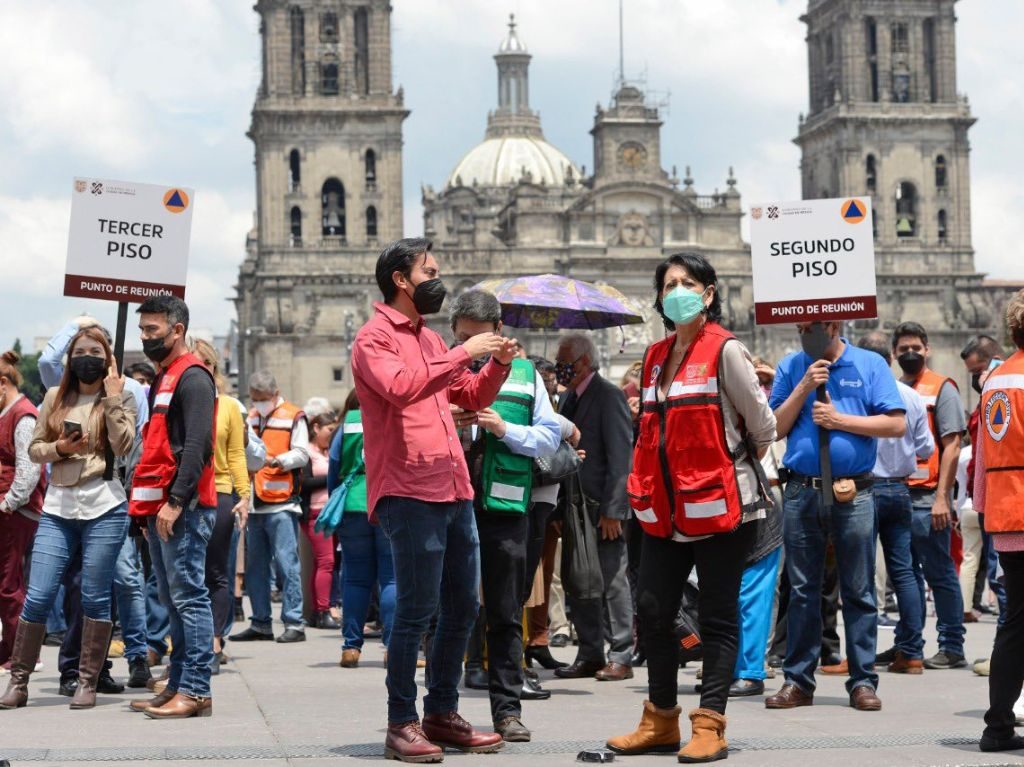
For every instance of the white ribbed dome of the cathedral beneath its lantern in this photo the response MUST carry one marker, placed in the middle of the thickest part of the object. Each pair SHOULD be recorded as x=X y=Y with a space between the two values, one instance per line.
x=502 y=161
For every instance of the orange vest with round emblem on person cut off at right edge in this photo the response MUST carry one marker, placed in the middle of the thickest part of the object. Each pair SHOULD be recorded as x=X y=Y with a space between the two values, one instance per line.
x=1002 y=433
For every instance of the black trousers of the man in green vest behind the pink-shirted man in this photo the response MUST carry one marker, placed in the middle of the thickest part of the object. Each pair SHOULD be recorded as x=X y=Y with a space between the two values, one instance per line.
x=503 y=579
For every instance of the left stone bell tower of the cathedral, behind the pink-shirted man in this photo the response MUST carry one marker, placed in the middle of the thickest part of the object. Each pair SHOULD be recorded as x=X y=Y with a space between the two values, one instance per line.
x=327 y=129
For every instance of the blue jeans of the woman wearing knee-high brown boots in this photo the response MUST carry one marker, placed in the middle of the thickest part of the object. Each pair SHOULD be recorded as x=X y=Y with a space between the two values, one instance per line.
x=57 y=542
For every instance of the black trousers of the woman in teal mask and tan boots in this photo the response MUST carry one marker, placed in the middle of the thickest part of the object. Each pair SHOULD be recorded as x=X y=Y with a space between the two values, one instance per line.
x=665 y=566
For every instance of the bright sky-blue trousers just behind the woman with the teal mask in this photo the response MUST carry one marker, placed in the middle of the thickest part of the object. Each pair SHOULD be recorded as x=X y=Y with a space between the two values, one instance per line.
x=757 y=591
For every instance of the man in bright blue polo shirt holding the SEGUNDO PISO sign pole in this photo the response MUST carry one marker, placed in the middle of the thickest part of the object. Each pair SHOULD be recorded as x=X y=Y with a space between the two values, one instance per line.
x=863 y=405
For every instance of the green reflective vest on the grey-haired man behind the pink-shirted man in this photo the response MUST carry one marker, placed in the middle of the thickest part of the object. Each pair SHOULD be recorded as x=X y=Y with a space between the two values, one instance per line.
x=508 y=479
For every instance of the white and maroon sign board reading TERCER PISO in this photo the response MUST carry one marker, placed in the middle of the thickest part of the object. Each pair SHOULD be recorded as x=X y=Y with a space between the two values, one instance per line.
x=127 y=241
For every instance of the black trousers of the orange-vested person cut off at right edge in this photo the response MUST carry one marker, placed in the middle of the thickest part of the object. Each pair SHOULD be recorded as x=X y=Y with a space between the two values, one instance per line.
x=1008 y=661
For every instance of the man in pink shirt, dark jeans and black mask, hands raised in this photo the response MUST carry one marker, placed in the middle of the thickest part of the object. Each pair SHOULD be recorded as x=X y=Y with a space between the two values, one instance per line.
x=418 y=490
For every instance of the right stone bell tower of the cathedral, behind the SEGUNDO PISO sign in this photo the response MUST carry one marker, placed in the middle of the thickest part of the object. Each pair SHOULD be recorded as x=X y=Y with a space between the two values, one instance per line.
x=886 y=120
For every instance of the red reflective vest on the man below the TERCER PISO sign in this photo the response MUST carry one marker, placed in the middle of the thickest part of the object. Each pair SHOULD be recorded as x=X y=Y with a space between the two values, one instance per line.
x=158 y=467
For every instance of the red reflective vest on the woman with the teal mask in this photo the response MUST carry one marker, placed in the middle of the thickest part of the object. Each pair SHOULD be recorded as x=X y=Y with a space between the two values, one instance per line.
x=685 y=476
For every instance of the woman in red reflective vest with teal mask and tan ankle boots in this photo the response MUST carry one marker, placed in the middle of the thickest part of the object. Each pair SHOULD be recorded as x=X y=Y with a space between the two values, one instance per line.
x=696 y=484
